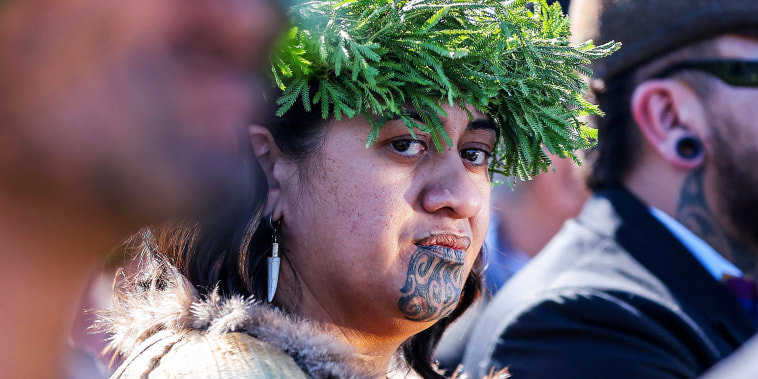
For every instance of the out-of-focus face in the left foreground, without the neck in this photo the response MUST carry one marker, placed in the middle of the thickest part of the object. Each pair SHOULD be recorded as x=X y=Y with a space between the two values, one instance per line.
x=134 y=107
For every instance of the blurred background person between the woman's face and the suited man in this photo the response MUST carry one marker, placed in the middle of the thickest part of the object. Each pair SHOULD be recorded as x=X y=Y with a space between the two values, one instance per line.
x=523 y=218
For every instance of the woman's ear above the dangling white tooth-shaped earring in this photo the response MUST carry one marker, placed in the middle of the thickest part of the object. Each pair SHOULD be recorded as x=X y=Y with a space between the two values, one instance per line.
x=269 y=156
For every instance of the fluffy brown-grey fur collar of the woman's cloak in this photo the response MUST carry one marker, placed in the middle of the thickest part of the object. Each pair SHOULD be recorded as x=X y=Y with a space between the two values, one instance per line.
x=161 y=300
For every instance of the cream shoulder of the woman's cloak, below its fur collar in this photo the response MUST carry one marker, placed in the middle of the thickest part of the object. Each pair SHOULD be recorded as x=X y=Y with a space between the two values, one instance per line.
x=198 y=354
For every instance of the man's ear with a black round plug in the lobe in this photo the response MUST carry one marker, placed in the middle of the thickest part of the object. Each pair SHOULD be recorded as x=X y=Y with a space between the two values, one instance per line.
x=664 y=111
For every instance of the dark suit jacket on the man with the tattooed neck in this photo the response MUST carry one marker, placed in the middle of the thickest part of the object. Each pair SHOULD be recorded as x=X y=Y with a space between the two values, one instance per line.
x=613 y=295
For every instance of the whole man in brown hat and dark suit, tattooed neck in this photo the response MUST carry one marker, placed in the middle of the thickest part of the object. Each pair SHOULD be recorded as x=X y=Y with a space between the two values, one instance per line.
x=640 y=284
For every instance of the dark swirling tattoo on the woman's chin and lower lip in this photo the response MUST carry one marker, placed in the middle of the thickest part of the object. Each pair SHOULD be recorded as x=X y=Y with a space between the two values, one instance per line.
x=434 y=283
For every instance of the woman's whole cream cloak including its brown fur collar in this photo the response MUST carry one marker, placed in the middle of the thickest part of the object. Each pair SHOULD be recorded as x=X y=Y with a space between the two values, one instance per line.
x=159 y=309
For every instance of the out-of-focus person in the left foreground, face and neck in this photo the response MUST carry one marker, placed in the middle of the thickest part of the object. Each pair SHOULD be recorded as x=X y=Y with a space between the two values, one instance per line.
x=113 y=115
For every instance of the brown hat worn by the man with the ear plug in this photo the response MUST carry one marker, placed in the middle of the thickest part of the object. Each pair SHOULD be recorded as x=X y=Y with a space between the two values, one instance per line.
x=650 y=28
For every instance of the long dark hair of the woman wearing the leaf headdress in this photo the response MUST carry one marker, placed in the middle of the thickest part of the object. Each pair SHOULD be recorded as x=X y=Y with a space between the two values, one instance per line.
x=229 y=251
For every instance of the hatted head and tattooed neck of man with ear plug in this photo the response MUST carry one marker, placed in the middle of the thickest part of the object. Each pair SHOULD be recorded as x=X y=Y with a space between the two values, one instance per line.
x=679 y=98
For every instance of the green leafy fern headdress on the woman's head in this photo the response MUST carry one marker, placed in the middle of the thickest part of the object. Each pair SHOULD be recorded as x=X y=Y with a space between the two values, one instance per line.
x=512 y=62
